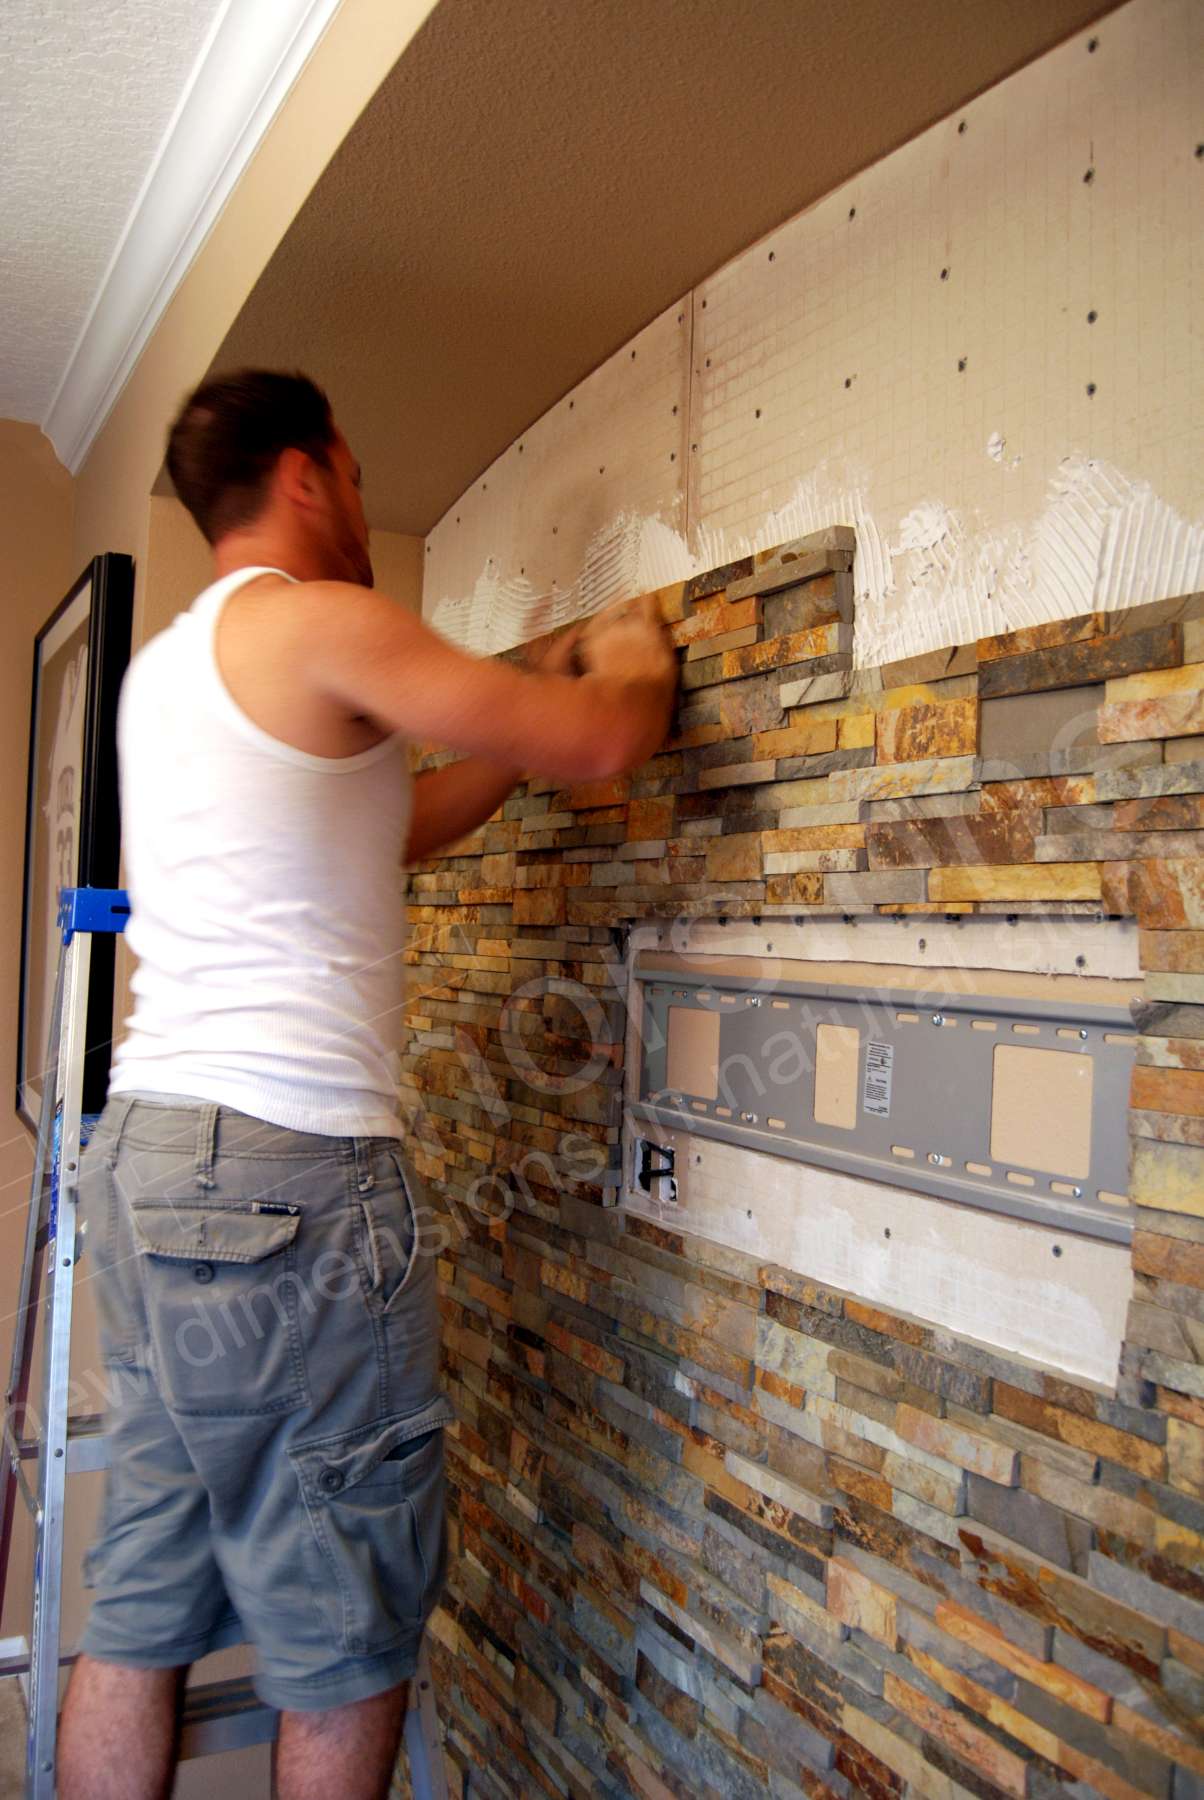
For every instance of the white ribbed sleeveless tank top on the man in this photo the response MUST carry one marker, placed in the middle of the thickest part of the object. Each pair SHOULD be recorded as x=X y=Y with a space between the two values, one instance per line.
x=267 y=897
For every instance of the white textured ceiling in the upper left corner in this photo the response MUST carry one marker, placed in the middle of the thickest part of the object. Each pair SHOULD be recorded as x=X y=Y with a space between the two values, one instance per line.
x=87 y=93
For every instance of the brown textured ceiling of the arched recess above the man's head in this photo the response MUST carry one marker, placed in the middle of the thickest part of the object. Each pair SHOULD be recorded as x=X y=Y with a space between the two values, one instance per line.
x=537 y=181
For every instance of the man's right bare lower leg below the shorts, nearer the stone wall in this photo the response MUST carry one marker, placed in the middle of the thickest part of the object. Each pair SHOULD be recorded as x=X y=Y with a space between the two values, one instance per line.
x=348 y=1750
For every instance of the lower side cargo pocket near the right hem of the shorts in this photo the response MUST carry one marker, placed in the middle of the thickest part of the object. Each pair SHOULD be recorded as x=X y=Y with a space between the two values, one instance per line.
x=377 y=1545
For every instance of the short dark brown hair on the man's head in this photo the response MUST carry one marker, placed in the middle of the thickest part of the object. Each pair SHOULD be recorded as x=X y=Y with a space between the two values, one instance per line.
x=229 y=438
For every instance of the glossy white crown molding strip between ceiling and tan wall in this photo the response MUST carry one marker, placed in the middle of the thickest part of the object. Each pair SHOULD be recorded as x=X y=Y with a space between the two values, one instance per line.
x=255 y=53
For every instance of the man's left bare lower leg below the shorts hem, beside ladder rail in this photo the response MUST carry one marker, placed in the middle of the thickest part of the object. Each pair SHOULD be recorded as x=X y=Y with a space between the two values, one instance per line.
x=120 y=1732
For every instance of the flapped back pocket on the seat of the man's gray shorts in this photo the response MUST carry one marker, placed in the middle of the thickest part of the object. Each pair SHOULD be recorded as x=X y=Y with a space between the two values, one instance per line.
x=222 y=1302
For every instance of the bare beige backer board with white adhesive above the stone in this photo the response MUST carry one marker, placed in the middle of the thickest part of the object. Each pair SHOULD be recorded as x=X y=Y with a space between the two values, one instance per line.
x=1030 y=462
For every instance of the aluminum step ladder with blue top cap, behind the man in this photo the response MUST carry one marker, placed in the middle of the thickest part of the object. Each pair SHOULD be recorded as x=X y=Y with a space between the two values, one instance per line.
x=217 y=1716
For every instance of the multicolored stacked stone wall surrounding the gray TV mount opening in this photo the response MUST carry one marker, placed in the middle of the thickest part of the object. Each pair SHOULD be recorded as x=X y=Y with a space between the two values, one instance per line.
x=719 y=1531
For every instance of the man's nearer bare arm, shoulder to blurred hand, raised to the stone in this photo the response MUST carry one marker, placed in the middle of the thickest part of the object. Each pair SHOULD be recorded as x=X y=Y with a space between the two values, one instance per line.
x=379 y=660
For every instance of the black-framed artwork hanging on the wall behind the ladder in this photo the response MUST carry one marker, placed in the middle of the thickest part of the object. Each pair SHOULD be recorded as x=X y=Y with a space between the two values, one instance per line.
x=73 y=832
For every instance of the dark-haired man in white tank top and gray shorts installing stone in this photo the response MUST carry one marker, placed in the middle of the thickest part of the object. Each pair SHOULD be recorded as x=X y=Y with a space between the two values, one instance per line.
x=267 y=1317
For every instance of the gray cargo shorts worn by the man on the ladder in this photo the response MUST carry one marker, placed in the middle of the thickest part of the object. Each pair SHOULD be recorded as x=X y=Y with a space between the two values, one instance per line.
x=271 y=1340
